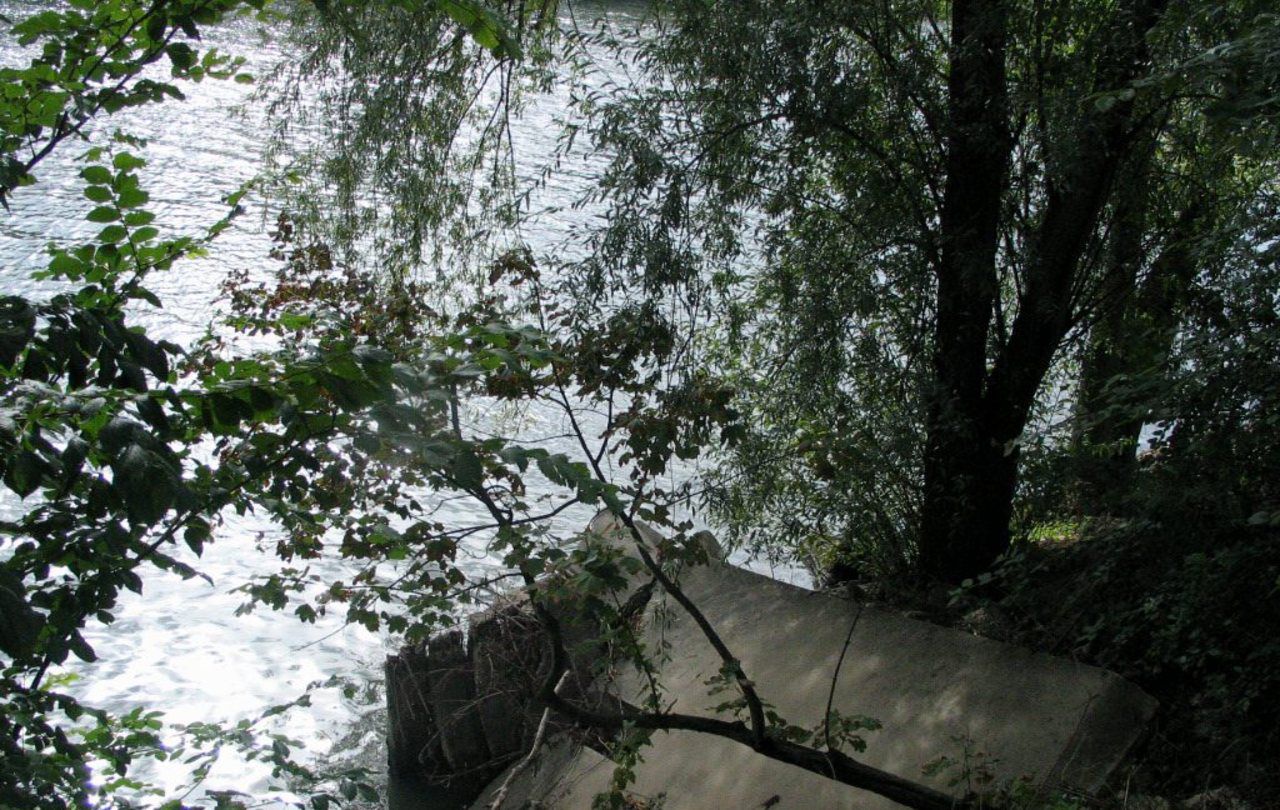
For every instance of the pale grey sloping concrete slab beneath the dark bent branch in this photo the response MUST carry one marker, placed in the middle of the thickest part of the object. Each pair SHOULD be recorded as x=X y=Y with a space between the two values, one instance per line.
x=938 y=693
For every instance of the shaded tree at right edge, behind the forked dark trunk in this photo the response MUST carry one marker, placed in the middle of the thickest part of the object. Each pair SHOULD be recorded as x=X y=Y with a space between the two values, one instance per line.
x=1191 y=225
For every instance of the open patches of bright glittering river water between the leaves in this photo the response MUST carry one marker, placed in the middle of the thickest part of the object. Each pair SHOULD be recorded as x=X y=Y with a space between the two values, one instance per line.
x=181 y=648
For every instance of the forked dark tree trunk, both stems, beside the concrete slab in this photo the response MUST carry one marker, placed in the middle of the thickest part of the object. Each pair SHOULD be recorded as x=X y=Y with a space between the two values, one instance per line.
x=980 y=408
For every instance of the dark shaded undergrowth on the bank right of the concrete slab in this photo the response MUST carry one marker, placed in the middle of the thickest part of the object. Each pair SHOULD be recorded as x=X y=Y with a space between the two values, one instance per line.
x=1194 y=617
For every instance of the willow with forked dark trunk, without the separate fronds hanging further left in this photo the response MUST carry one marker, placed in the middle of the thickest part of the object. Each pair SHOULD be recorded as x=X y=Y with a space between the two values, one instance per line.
x=935 y=193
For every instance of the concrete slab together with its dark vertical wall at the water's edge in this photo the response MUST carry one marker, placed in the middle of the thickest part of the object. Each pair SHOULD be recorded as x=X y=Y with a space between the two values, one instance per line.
x=943 y=708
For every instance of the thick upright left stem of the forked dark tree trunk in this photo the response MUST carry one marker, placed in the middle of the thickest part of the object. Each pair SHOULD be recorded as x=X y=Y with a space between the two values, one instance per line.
x=959 y=489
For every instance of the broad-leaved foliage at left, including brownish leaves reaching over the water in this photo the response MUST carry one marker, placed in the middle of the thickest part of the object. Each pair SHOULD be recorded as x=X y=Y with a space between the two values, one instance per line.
x=129 y=450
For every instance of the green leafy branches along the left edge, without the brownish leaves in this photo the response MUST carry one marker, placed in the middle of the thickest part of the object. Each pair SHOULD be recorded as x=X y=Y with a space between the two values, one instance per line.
x=125 y=449
